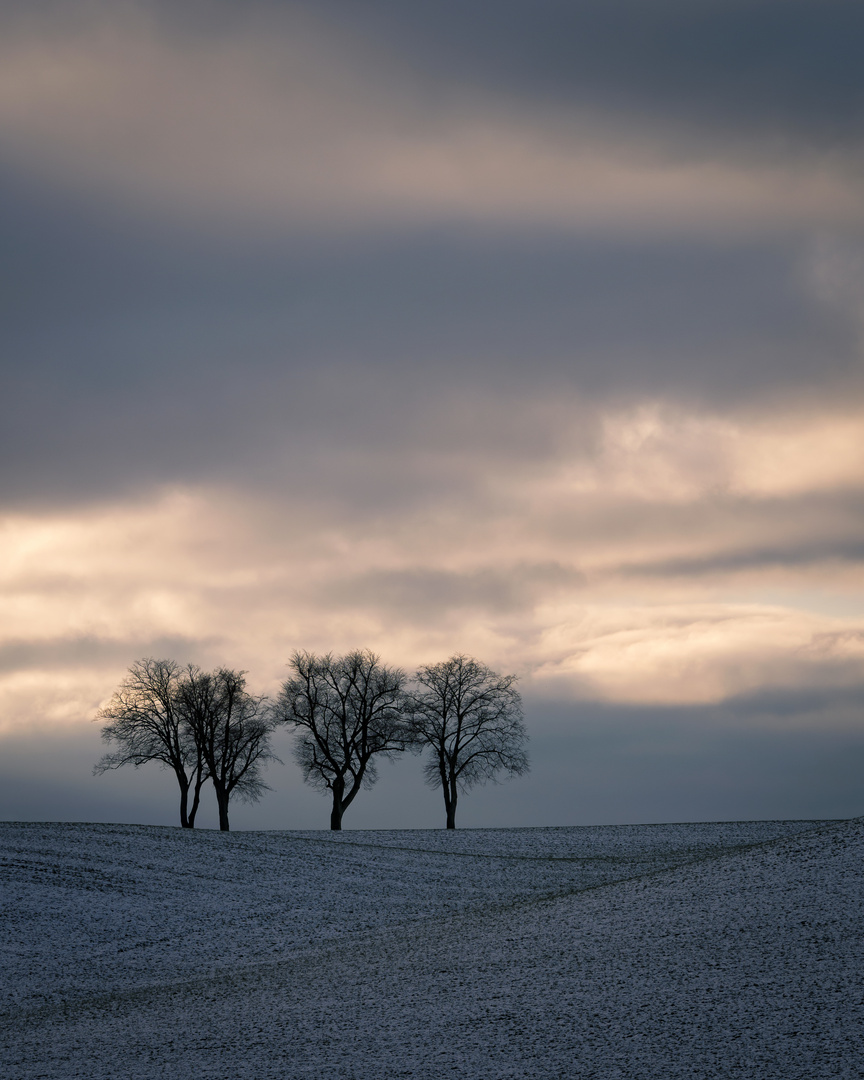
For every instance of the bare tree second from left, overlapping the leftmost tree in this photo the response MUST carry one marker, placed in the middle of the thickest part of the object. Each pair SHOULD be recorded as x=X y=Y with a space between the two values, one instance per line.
x=232 y=730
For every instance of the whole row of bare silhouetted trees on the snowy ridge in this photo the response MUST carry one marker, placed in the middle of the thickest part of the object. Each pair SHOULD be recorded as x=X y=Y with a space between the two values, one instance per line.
x=347 y=713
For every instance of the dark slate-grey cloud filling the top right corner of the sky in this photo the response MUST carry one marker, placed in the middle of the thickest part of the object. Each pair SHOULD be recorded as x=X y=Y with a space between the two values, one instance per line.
x=744 y=72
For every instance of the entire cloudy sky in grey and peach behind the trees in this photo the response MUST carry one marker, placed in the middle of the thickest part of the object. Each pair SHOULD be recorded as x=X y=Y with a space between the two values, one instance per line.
x=528 y=330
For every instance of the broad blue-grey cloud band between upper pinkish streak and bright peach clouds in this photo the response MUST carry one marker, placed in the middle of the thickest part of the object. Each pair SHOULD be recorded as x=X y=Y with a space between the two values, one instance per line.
x=140 y=355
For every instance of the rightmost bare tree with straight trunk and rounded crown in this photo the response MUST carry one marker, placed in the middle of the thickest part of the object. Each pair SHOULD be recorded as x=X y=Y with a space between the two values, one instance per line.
x=471 y=720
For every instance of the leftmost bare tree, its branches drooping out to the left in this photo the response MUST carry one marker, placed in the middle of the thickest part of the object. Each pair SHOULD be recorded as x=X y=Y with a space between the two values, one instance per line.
x=146 y=722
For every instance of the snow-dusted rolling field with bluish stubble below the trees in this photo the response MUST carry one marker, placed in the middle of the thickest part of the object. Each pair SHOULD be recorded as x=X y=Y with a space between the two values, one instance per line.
x=694 y=952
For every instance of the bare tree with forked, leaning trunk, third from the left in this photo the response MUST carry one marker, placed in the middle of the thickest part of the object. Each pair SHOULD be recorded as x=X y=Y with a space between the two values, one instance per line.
x=347 y=711
